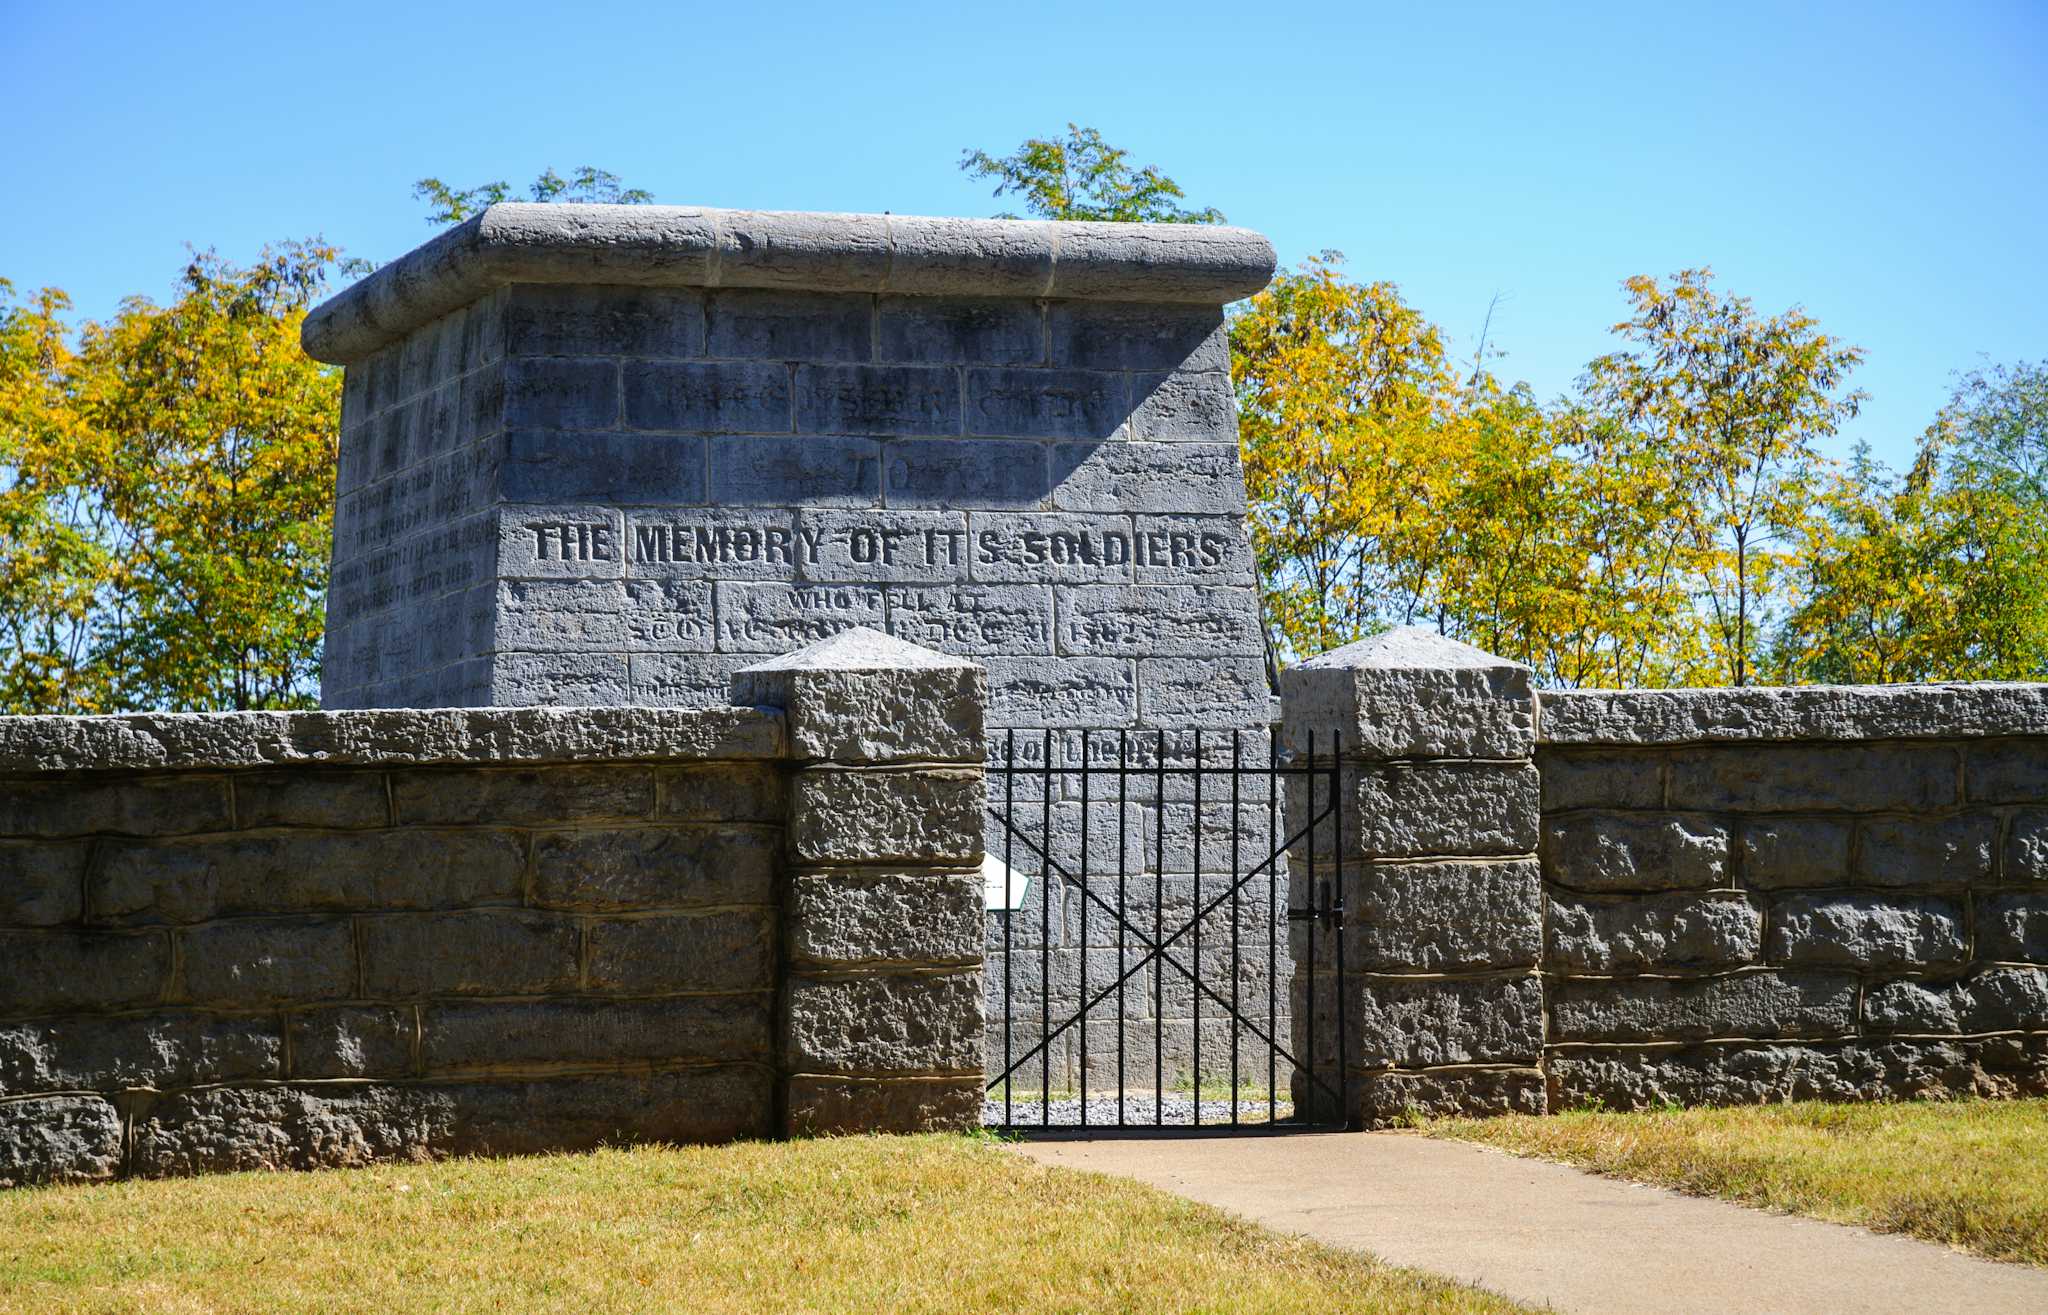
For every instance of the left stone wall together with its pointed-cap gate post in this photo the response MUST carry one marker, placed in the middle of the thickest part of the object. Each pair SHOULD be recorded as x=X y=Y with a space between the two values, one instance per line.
x=273 y=941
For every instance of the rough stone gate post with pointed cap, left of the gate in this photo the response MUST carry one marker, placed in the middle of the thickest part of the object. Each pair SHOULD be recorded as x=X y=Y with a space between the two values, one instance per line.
x=882 y=1011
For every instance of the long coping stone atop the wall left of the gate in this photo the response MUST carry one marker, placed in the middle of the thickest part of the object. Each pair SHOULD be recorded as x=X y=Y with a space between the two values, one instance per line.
x=386 y=738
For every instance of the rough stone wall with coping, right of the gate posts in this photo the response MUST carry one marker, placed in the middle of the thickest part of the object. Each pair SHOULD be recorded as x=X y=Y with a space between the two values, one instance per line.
x=1797 y=894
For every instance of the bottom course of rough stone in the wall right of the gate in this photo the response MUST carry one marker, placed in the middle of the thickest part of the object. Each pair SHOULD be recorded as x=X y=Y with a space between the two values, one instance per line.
x=1775 y=1074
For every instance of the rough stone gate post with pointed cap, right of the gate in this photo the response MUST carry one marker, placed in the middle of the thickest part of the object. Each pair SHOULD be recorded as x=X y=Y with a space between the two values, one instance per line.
x=1443 y=892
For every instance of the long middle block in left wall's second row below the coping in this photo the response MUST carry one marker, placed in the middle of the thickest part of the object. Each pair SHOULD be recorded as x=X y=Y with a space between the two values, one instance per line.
x=286 y=874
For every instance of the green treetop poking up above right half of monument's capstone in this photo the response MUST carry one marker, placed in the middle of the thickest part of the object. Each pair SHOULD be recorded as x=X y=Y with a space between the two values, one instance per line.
x=1084 y=177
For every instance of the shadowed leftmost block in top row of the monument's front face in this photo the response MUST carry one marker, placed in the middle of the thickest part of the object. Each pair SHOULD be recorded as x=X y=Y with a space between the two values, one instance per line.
x=583 y=321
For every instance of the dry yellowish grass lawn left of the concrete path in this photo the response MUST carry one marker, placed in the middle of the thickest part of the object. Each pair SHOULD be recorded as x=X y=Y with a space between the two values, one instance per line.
x=863 y=1224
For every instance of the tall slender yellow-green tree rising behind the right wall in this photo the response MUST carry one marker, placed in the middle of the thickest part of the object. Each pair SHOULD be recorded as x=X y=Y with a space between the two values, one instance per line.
x=1742 y=402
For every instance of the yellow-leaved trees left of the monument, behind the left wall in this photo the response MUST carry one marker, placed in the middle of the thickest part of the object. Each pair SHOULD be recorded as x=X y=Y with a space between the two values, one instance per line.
x=167 y=493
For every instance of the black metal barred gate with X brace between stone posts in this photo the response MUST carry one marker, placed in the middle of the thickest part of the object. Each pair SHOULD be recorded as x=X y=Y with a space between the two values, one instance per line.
x=1121 y=898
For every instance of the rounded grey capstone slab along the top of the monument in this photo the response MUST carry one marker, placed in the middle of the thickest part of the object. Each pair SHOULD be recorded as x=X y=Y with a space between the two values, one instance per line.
x=697 y=247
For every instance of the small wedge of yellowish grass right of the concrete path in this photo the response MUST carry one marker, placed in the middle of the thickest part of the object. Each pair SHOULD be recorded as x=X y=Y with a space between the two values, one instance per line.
x=1969 y=1173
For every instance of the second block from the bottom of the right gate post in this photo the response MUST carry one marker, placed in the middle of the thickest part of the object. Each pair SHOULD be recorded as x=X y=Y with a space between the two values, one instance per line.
x=1424 y=1023
